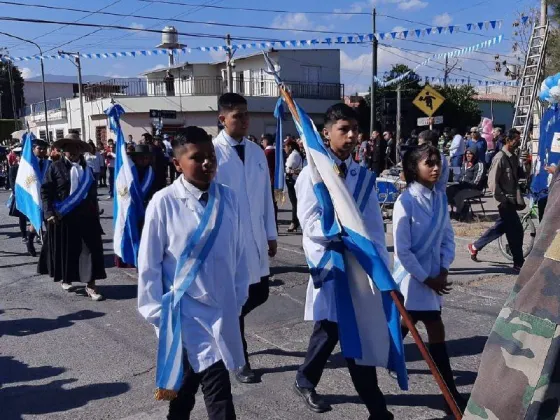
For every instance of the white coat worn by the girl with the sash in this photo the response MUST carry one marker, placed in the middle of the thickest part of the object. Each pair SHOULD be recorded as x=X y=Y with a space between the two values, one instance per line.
x=412 y=216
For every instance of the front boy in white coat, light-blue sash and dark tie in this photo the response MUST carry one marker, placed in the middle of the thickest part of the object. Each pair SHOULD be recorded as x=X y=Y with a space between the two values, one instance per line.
x=192 y=281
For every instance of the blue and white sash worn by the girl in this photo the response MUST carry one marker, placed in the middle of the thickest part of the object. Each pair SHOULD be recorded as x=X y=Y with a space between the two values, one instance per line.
x=427 y=241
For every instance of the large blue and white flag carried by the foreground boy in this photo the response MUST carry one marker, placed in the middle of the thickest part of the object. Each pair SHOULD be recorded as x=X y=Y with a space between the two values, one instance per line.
x=369 y=334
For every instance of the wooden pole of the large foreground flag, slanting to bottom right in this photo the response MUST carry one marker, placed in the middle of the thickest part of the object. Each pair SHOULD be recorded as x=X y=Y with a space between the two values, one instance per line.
x=402 y=310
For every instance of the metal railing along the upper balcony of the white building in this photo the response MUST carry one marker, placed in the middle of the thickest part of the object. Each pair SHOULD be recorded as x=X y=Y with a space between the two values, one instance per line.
x=208 y=86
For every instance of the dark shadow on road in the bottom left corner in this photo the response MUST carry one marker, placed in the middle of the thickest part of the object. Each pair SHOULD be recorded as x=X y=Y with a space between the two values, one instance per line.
x=53 y=397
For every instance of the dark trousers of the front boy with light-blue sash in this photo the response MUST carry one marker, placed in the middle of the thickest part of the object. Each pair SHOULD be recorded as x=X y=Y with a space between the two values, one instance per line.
x=216 y=389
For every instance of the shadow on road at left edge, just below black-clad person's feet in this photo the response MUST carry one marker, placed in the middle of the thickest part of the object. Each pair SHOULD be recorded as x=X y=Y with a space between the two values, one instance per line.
x=29 y=326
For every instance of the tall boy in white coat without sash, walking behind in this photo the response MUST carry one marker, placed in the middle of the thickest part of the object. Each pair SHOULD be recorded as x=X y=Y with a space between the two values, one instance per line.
x=243 y=167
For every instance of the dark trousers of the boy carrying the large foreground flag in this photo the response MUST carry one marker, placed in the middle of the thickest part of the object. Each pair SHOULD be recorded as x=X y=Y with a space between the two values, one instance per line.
x=321 y=345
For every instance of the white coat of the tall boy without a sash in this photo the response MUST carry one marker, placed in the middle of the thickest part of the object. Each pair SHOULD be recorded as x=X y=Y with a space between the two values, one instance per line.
x=252 y=187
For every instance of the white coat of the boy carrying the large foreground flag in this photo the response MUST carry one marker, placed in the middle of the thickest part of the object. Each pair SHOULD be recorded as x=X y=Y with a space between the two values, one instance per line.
x=320 y=304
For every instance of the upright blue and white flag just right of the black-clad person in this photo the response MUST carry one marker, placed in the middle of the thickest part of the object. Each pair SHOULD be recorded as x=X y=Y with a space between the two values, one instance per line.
x=128 y=205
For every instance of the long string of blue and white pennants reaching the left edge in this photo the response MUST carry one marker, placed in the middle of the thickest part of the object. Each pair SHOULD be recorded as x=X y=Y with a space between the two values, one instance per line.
x=348 y=39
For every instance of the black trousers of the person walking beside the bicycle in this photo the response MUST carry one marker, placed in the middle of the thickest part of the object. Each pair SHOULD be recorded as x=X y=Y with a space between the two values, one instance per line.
x=509 y=224
